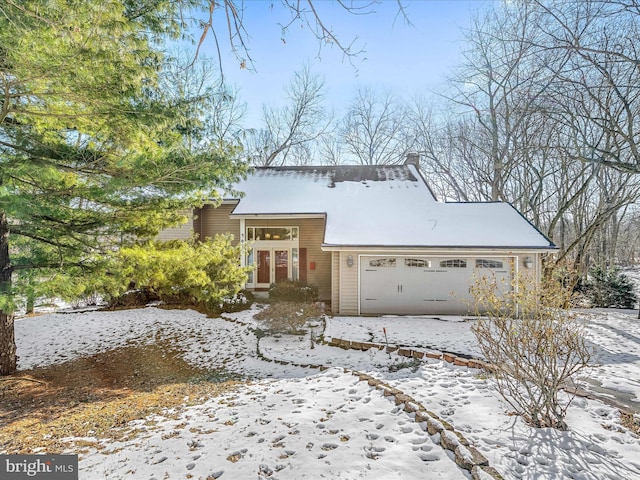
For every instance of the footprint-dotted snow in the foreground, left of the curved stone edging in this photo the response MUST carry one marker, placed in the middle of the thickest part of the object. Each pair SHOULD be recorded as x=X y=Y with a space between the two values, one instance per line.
x=328 y=425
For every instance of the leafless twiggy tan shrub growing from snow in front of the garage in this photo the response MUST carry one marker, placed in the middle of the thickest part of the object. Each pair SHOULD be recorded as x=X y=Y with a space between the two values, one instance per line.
x=535 y=344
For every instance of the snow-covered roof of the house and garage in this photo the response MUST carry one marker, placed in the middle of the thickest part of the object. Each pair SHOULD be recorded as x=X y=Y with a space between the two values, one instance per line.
x=390 y=206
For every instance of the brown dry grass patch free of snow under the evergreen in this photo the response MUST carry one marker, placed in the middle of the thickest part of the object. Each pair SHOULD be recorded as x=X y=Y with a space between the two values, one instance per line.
x=98 y=396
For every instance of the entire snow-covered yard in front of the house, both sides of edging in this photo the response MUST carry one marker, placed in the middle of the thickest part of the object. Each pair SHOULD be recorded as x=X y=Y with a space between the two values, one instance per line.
x=294 y=422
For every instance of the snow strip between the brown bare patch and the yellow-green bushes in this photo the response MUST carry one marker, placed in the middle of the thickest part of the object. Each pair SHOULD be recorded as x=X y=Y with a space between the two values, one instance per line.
x=206 y=342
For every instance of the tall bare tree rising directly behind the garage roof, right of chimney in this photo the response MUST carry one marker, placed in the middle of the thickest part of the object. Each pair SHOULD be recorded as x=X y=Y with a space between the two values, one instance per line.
x=499 y=86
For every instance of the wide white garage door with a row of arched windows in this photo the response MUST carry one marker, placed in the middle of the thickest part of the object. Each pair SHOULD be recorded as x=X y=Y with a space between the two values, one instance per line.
x=424 y=285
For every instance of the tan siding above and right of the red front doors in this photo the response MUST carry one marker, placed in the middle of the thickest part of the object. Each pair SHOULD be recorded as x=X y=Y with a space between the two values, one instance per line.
x=311 y=237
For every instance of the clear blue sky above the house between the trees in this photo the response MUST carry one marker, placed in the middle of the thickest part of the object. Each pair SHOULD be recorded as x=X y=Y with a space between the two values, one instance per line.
x=409 y=59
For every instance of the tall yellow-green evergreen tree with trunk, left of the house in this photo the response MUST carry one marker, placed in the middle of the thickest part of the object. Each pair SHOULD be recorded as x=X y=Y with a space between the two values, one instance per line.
x=91 y=153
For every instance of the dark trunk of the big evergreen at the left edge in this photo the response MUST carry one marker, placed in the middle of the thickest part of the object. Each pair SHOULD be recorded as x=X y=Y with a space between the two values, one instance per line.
x=8 y=358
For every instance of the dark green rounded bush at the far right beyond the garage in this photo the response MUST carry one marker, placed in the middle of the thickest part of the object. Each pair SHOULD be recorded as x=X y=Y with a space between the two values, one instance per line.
x=608 y=288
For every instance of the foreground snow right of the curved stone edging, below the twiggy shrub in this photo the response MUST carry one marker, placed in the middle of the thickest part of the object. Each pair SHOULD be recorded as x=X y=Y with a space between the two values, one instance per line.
x=593 y=449
